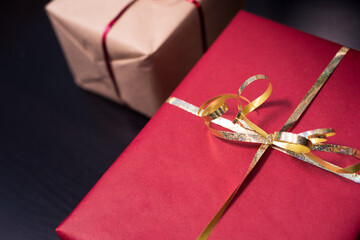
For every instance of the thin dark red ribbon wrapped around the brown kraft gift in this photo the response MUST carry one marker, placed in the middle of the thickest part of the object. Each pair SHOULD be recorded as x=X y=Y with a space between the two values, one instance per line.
x=116 y=18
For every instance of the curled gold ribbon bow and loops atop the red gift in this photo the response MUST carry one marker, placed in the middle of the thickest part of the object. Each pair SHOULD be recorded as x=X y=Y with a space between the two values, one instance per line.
x=247 y=131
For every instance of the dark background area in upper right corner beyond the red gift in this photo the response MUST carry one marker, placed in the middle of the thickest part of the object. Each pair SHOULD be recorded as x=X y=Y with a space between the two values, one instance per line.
x=335 y=20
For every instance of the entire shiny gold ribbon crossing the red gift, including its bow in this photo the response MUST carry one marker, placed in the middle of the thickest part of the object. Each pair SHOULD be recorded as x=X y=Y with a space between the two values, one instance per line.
x=298 y=145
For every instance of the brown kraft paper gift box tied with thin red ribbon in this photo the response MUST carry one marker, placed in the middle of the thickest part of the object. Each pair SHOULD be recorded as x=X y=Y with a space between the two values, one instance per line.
x=152 y=46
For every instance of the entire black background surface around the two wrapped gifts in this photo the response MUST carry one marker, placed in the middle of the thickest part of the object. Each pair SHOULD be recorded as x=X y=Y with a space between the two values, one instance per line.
x=56 y=140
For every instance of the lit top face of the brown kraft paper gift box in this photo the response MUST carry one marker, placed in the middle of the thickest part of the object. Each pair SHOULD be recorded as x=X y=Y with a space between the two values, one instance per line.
x=141 y=31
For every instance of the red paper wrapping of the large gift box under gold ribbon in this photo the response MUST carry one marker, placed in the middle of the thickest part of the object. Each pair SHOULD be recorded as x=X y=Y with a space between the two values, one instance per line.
x=173 y=178
